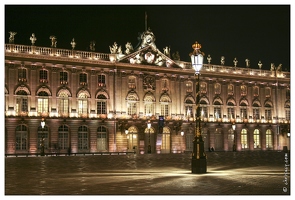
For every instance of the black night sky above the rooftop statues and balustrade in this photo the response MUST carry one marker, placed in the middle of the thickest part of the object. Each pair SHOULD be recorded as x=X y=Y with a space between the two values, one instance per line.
x=256 y=32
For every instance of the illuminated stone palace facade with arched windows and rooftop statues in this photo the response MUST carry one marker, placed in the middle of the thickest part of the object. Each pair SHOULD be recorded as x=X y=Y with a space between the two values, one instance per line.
x=88 y=100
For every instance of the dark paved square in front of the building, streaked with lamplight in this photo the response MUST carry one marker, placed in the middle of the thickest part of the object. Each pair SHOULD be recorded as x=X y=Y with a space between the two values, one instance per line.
x=228 y=173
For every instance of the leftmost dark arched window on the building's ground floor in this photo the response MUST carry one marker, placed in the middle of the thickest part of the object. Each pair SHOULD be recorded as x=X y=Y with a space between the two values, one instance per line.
x=21 y=137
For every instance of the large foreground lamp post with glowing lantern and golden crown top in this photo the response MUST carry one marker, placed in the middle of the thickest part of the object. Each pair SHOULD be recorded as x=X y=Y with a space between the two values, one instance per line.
x=199 y=158
